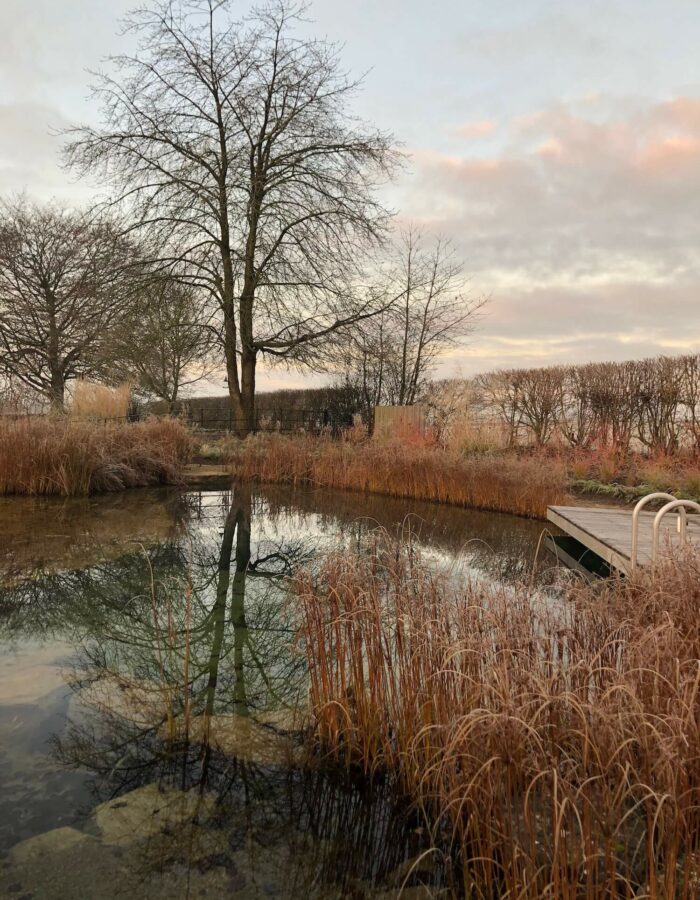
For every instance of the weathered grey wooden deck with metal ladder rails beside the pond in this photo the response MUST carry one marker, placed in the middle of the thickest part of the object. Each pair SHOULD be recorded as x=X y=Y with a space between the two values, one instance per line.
x=608 y=531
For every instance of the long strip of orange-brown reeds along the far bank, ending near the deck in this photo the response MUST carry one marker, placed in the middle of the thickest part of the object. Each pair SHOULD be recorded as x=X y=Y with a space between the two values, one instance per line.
x=522 y=486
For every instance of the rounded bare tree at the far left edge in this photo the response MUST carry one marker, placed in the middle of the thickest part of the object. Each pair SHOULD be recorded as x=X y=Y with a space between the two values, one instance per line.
x=61 y=294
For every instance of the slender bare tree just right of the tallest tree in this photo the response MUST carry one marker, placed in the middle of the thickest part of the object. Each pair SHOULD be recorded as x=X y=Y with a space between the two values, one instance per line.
x=391 y=358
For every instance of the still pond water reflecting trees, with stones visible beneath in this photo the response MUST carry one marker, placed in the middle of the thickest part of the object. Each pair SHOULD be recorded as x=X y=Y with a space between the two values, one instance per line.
x=152 y=697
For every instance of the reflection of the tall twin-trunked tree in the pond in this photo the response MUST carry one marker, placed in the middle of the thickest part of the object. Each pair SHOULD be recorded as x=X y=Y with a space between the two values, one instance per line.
x=152 y=656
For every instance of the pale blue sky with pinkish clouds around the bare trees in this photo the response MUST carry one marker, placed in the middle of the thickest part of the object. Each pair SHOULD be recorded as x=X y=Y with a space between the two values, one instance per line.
x=556 y=143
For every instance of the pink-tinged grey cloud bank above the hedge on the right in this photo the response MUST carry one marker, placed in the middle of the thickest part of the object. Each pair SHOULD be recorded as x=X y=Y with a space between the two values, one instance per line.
x=584 y=228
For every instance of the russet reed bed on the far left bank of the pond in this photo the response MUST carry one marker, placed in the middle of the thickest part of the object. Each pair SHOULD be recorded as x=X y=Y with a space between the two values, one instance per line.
x=58 y=455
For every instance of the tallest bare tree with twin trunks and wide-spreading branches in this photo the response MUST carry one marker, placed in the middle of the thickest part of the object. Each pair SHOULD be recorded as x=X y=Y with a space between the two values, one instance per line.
x=236 y=139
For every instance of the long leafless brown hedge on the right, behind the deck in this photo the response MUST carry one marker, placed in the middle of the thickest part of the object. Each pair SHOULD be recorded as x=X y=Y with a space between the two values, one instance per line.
x=651 y=404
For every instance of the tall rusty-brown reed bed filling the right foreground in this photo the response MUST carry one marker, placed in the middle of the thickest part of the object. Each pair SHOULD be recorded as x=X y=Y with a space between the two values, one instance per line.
x=552 y=744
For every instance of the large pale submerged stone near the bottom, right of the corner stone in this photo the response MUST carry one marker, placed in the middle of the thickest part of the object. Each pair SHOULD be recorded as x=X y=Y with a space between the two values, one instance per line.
x=148 y=811
